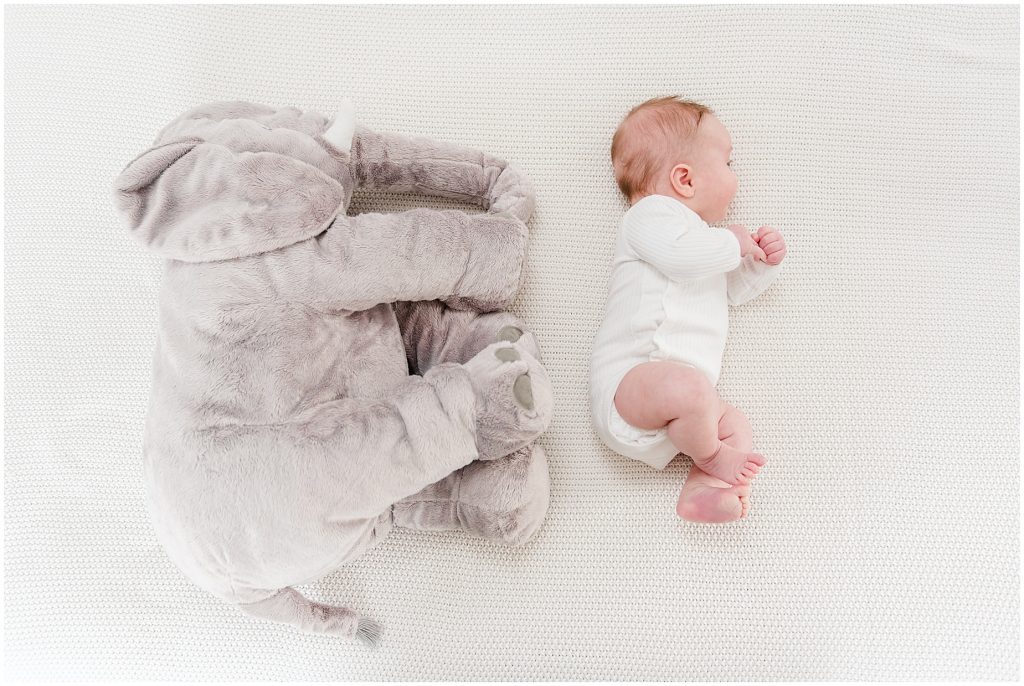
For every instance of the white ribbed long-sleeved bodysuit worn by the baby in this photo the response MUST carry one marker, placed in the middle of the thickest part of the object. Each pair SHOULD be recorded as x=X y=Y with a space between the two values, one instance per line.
x=673 y=279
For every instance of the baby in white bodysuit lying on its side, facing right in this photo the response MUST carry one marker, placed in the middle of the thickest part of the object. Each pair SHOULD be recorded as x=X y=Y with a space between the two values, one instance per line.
x=658 y=355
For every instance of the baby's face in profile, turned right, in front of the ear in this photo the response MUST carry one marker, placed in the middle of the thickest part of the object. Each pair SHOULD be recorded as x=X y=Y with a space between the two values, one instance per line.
x=714 y=183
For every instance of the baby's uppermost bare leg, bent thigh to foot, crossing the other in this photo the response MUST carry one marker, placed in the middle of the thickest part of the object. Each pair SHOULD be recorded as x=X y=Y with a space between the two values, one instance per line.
x=660 y=395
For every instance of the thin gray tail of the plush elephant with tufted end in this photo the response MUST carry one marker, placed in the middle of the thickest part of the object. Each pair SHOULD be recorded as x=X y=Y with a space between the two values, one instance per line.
x=290 y=607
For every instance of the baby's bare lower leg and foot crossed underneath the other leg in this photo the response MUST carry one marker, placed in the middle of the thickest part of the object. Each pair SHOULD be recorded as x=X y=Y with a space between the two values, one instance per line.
x=706 y=499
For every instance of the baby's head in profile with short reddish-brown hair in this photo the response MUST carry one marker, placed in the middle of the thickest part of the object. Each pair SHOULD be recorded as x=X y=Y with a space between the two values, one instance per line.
x=675 y=148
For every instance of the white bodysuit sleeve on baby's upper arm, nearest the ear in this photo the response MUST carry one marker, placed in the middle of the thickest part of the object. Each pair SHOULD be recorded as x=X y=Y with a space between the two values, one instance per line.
x=677 y=242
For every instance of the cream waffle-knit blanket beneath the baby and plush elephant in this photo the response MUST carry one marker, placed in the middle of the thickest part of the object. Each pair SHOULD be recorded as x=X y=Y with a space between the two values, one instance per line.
x=880 y=372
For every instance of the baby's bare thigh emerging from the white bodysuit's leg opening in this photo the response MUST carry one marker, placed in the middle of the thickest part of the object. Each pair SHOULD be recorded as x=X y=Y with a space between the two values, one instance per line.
x=652 y=395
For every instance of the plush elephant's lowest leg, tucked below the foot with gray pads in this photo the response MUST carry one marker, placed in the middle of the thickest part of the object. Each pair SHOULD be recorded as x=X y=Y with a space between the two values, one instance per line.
x=503 y=500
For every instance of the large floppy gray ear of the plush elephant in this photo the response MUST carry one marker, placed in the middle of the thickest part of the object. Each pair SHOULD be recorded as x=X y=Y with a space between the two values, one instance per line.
x=197 y=201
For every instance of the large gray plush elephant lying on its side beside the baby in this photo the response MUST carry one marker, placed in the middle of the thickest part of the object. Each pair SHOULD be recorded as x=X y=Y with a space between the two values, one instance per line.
x=321 y=378
